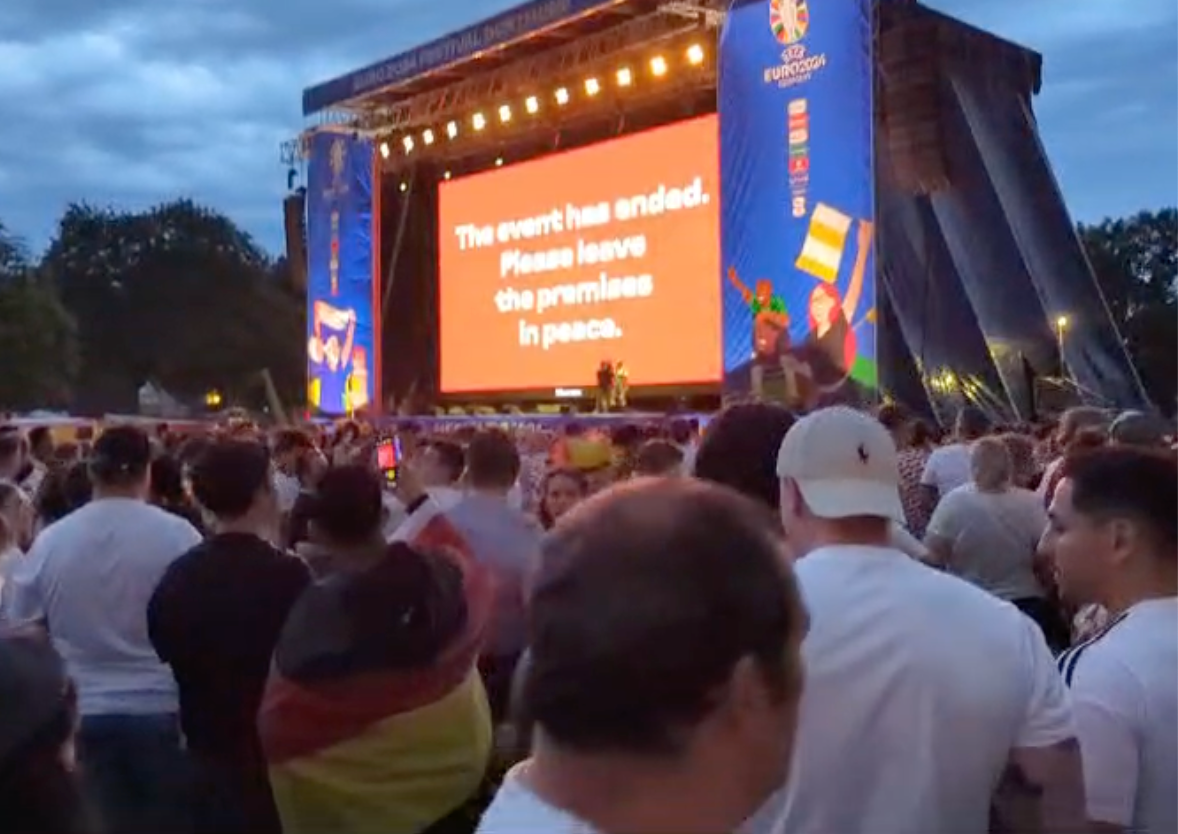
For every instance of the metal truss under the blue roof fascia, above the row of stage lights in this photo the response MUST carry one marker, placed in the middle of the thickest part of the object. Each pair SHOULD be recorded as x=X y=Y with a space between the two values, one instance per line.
x=672 y=21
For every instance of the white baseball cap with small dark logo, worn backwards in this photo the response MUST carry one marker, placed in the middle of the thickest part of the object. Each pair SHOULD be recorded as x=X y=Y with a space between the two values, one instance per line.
x=845 y=465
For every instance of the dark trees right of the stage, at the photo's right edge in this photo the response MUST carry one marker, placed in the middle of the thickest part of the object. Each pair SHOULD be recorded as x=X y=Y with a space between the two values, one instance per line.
x=1136 y=264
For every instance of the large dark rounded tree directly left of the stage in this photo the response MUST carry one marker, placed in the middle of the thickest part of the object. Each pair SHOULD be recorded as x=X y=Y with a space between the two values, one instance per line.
x=177 y=296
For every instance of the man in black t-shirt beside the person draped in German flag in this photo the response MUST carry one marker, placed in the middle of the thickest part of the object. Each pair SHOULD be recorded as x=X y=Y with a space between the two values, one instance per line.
x=215 y=620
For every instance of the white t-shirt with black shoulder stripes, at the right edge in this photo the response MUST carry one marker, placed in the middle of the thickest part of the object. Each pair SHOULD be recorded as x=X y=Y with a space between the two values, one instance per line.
x=1126 y=694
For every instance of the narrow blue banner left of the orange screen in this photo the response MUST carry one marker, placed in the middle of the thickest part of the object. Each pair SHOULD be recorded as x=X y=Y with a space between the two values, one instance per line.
x=341 y=350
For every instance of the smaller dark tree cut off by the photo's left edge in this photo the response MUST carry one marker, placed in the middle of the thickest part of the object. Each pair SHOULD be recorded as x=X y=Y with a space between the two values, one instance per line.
x=37 y=335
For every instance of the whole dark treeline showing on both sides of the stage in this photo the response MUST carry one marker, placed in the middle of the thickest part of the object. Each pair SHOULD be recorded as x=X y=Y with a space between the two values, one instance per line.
x=182 y=299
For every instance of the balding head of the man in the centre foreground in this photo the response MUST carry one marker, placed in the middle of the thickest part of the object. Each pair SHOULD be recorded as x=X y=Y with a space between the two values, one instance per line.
x=648 y=597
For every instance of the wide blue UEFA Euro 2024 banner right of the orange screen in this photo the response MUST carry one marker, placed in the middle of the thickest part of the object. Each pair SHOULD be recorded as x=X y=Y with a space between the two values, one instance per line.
x=798 y=207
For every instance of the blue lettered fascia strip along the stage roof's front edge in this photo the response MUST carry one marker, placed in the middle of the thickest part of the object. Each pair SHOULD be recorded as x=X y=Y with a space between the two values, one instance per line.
x=517 y=34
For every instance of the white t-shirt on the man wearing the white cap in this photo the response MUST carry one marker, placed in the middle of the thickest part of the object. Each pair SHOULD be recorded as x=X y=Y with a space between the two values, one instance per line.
x=918 y=687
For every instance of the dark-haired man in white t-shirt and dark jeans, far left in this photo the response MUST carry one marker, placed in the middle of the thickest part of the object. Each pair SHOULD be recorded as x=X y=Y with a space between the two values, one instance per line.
x=88 y=580
